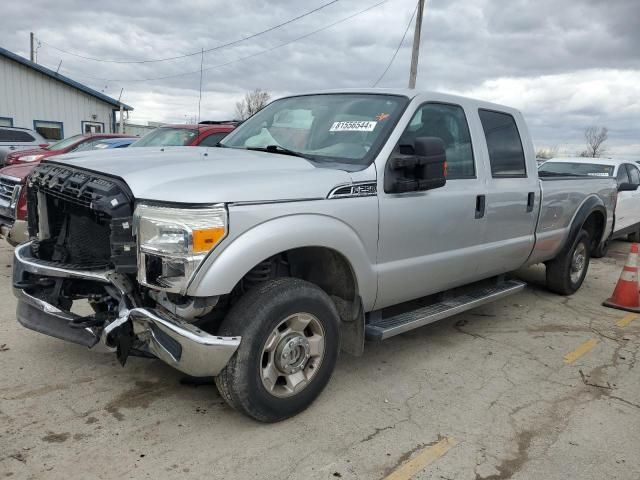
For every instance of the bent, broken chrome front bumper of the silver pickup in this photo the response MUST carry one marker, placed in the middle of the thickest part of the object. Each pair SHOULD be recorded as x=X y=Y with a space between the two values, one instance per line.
x=174 y=341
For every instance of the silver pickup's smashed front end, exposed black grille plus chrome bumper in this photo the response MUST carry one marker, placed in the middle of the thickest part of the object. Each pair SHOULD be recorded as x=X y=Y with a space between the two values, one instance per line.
x=83 y=249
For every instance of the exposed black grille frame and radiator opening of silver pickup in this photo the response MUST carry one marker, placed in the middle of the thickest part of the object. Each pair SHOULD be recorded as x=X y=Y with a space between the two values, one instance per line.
x=88 y=218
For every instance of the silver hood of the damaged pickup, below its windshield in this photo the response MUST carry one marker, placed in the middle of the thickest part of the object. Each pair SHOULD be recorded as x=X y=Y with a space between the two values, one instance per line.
x=210 y=175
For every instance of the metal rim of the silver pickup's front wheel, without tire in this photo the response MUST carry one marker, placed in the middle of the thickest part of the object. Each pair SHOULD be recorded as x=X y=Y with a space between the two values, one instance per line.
x=292 y=355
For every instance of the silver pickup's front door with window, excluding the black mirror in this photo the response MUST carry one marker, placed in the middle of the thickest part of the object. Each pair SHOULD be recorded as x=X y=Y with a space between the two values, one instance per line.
x=429 y=241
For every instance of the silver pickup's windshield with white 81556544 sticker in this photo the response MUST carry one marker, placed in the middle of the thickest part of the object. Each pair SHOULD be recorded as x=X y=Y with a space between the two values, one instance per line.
x=340 y=128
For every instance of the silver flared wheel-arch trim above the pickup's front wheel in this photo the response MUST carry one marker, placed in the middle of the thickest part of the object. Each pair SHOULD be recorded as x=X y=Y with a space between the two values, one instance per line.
x=222 y=270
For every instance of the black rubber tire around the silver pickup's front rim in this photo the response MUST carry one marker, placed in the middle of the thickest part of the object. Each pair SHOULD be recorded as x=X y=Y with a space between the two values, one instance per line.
x=255 y=318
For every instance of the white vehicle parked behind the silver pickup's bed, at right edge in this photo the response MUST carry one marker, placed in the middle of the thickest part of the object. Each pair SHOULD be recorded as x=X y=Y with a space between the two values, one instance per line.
x=627 y=175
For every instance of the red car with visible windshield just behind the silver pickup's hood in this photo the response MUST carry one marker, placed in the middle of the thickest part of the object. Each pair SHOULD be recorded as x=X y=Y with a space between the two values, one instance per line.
x=205 y=134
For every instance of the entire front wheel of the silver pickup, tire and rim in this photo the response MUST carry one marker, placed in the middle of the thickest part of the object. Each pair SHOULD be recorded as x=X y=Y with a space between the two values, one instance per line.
x=290 y=333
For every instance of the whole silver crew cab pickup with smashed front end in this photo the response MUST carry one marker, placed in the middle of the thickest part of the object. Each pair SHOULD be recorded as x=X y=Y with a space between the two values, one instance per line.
x=323 y=221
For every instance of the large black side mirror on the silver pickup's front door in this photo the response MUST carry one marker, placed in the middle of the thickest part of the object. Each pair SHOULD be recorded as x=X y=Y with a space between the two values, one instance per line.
x=425 y=169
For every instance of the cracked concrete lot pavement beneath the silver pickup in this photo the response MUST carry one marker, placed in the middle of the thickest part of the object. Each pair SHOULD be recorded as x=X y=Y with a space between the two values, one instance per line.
x=484 y=395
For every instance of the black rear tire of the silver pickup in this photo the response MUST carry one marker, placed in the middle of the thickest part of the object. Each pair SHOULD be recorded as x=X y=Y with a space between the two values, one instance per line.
x=559 y=270
